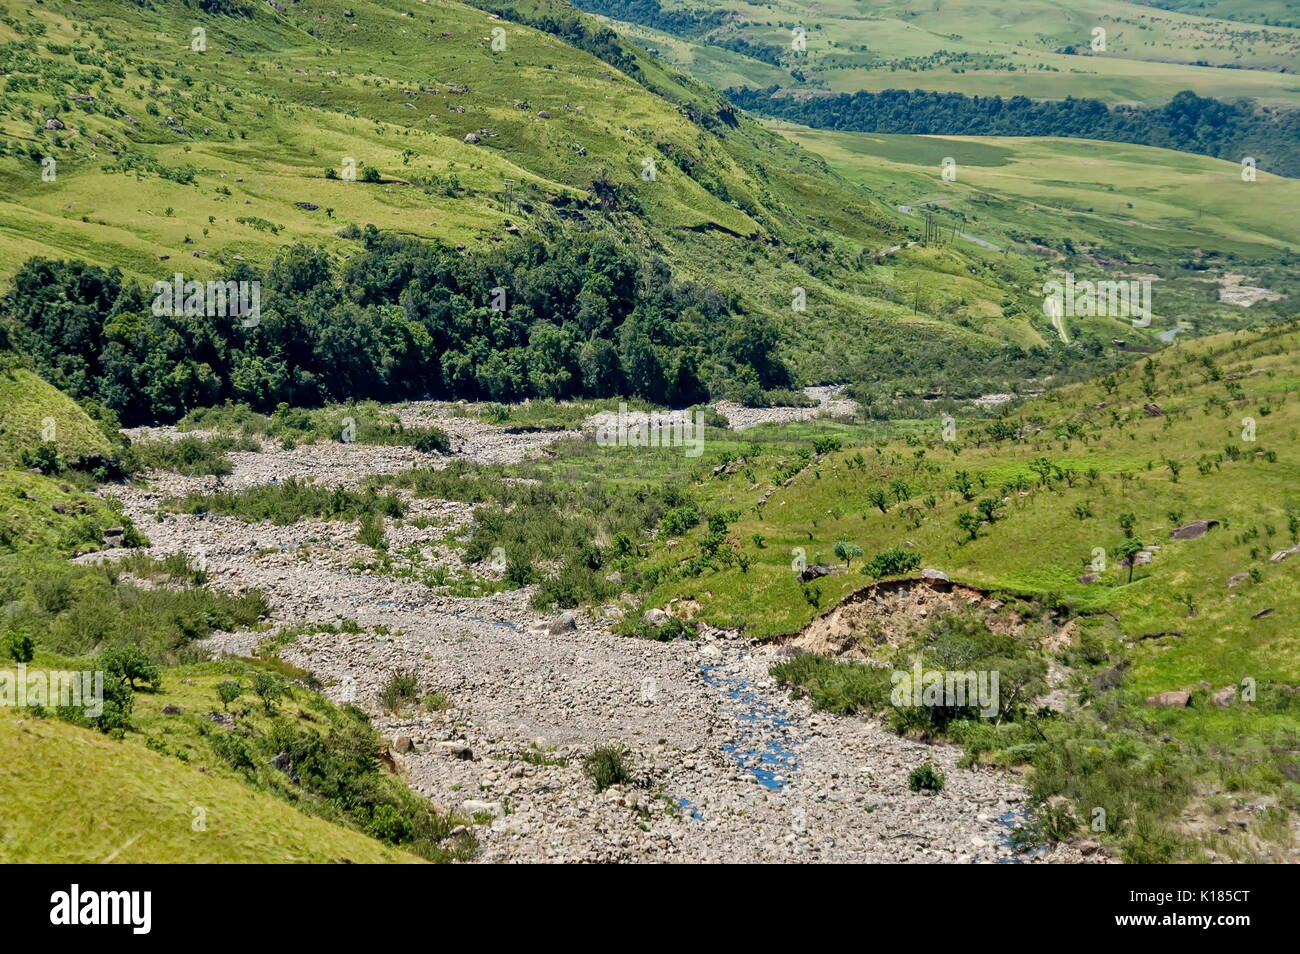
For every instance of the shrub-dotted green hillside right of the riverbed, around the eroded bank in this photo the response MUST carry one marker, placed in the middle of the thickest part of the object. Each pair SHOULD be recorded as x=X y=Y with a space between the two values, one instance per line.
x=1041 y=509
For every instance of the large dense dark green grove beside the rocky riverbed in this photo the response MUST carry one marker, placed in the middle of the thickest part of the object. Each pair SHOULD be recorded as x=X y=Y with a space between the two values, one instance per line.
x=586 y=315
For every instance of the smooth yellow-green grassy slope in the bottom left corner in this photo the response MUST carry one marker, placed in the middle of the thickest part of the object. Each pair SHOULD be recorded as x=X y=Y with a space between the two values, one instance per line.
x=72 y=796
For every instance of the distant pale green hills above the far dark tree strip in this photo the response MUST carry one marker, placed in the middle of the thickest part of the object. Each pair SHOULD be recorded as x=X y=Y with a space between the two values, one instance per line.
x=967 y=47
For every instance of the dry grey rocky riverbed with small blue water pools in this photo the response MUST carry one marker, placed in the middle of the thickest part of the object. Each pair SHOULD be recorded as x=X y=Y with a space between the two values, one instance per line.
x=727 y=769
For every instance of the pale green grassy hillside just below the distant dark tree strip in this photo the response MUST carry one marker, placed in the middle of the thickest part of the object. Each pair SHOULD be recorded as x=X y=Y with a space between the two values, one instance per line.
x=1098 y=209
